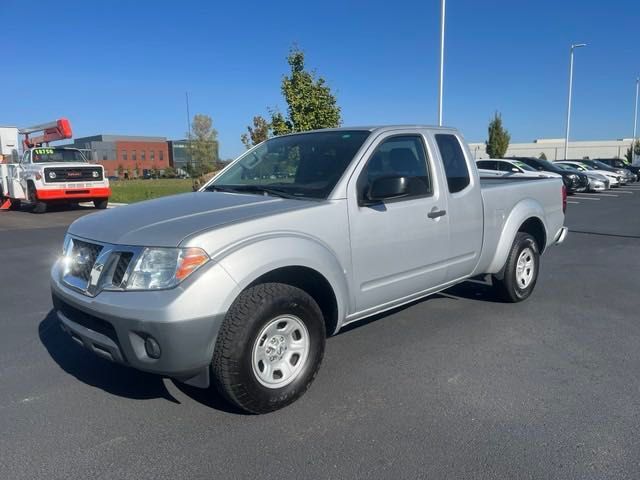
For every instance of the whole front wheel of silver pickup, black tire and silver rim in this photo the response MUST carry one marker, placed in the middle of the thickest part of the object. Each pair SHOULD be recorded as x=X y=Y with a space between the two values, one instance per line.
x=269 y=347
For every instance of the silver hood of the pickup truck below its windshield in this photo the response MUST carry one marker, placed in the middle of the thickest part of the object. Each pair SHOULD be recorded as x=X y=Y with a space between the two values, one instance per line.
x=167 y=221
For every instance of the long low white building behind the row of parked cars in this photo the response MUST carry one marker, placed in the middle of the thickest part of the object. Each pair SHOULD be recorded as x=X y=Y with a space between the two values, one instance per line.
x=553 y=149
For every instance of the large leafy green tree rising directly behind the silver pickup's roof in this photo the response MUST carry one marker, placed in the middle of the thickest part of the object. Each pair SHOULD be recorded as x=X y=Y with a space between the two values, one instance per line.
x=310 y=102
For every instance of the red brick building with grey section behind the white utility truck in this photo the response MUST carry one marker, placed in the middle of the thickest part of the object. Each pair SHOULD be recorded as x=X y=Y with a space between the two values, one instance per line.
x=125 y=155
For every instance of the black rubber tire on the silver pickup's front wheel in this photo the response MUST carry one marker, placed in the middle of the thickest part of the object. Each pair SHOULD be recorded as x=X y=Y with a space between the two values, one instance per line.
x=233 y=368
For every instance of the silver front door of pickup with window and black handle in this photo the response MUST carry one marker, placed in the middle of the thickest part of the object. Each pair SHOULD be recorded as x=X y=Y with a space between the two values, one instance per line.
x=399 y=246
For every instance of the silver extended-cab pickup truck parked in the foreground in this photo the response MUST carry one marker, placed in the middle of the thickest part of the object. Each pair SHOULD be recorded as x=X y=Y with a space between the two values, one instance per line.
x=239 y=284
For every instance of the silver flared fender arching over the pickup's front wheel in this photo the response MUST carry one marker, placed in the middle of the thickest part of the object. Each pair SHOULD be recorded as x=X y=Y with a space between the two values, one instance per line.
x=251 y=258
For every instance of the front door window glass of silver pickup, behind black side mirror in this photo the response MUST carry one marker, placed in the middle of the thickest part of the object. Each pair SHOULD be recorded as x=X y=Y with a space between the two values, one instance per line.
x=401 y=156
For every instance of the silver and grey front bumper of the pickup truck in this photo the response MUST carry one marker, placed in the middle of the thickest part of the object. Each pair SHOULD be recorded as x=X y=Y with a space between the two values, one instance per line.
x=184 y=321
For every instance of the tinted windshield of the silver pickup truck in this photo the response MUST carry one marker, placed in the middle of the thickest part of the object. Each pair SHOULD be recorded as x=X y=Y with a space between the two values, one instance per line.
x=302 y=165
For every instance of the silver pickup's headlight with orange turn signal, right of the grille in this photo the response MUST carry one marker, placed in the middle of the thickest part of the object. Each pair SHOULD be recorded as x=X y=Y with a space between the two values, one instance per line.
x=159 y=268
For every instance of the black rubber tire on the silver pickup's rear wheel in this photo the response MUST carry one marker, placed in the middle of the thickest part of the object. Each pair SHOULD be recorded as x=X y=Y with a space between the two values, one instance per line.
x=509 y=286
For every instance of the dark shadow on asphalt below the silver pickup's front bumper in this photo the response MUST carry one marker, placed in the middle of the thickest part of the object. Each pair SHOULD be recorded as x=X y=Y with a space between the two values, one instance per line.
x=114 y=378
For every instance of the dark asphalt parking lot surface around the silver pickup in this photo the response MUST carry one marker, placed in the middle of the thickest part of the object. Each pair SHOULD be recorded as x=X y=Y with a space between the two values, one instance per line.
x=456 y=386
